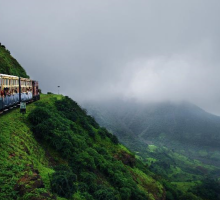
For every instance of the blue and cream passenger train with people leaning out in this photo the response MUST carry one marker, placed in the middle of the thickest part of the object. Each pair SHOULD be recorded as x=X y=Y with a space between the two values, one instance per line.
x=14 y=89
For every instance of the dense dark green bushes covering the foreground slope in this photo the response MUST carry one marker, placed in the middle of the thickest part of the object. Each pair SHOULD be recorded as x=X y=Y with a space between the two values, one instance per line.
x=92 y=153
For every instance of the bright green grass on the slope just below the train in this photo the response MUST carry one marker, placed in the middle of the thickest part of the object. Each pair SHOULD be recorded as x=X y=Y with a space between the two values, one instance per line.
x=19 y=150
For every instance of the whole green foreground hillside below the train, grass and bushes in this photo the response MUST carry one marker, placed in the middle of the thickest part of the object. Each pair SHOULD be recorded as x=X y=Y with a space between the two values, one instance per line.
x=56 y=150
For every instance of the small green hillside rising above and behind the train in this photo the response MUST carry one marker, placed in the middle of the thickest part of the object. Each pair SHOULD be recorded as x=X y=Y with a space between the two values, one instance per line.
x=9 y=65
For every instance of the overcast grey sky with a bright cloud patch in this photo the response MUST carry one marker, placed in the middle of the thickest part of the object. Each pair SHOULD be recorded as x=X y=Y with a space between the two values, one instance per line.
x=149 y=50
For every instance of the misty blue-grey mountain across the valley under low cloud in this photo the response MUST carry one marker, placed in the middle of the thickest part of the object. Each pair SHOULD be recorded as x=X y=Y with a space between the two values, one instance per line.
x=183 y=127
